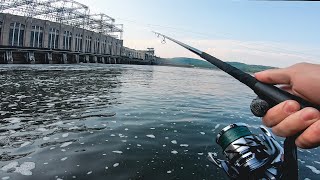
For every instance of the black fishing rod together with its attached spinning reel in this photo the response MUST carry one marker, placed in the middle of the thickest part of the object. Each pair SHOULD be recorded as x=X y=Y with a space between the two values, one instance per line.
x=234 y=137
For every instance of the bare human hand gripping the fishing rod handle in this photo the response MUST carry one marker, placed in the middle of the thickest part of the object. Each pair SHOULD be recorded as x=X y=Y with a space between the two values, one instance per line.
x=286 y=118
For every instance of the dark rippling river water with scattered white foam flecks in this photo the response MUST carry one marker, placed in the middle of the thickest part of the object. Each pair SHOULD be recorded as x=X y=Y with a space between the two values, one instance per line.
x=119 y=122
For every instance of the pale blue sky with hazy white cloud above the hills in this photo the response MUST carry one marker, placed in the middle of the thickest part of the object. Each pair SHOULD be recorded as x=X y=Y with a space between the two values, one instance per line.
x=274 y=33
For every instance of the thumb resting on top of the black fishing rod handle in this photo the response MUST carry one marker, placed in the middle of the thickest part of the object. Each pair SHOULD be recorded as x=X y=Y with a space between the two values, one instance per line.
x=274 y=76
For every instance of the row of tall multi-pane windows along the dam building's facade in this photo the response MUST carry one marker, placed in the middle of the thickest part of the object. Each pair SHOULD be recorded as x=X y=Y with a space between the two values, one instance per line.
x=17 y=31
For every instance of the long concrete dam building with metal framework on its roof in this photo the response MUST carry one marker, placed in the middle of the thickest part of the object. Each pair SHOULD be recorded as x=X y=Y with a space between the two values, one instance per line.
x=62 y=32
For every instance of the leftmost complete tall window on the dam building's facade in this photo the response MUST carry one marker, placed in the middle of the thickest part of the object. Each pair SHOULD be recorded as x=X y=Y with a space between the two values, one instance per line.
x=16 y=34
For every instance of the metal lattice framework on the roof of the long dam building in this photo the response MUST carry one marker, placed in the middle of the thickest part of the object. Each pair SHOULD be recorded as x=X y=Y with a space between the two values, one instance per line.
x=67 y=12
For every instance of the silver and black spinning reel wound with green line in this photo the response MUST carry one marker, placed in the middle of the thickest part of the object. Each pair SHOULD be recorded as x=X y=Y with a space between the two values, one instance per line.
x=249 y=156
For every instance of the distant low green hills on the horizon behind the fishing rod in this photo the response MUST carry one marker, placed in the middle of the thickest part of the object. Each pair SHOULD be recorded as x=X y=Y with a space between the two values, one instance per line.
x=190 y=62
